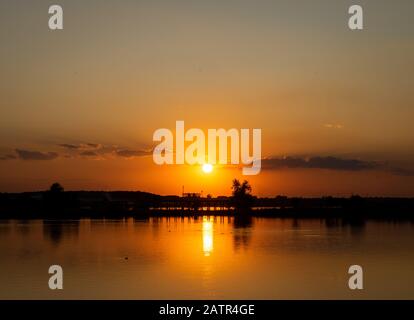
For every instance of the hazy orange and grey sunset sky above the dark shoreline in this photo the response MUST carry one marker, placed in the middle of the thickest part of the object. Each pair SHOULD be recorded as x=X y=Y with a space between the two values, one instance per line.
x=80 y=105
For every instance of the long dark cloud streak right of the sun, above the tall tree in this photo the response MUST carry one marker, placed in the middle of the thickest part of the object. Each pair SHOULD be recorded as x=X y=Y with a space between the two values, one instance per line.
x=332 y=163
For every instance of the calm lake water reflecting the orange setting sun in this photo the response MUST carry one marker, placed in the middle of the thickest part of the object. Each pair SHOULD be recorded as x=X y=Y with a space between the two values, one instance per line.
x=205 y=258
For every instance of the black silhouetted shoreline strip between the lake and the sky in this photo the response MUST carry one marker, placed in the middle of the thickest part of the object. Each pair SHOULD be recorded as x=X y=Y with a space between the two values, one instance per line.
x=118 y=204
